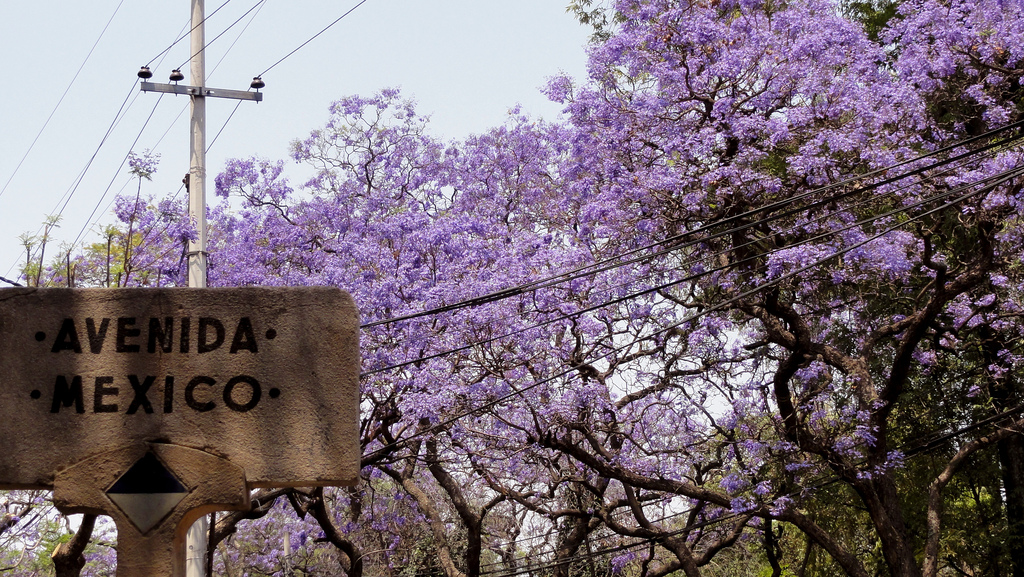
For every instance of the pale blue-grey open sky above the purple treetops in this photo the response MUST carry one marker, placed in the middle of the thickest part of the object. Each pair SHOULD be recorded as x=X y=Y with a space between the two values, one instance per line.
x=72 y=66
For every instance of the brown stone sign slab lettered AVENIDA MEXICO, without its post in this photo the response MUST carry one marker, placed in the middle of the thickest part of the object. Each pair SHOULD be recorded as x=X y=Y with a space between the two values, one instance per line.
x=265 y=379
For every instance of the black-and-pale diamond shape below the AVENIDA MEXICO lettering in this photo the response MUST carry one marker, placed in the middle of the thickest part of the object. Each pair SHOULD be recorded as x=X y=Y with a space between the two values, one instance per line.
x=147 y=492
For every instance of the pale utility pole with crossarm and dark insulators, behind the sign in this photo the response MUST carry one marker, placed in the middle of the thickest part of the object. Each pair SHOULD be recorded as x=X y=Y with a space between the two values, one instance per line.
x=197 y=540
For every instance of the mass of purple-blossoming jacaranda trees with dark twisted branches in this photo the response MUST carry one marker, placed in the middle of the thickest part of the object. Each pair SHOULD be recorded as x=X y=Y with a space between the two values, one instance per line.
x=754 y=306
